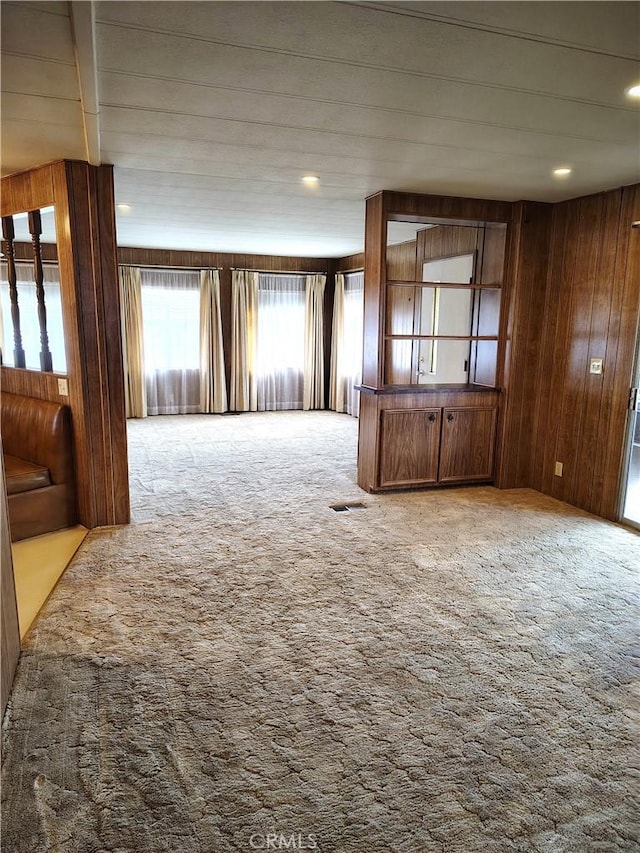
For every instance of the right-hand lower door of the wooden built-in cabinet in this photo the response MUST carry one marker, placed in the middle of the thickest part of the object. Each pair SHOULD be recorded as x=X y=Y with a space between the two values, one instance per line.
x=468 y=442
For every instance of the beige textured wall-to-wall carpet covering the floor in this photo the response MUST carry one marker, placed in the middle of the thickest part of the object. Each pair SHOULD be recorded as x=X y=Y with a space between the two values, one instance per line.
x=244 y=669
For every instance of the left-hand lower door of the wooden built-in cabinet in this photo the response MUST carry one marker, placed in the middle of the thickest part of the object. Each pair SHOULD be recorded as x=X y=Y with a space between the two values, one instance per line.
x=409 y=445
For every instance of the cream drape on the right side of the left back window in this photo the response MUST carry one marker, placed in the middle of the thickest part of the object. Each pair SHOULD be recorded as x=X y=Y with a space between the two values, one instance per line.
x=213 y=388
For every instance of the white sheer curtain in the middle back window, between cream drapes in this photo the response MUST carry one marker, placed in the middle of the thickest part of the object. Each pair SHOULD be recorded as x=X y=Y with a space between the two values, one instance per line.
x=280 y=355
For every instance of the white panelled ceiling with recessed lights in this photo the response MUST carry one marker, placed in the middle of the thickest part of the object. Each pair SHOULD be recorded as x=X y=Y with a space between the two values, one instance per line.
x=212 y=112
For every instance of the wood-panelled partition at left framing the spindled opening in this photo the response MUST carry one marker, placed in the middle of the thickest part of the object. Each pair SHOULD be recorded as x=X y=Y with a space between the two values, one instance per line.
x=85 y=228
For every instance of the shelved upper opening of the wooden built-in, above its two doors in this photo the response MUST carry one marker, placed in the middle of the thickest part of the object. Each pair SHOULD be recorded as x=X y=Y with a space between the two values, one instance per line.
x=442 y=302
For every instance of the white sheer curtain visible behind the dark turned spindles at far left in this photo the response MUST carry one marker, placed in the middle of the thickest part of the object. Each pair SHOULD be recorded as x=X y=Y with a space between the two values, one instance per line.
x=29 y=325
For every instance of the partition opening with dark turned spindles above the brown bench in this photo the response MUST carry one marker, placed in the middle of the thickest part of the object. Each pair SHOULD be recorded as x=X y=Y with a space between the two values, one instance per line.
x=31 y=325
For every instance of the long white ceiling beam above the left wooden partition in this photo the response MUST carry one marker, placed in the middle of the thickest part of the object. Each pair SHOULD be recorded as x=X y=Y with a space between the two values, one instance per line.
x=83 y=22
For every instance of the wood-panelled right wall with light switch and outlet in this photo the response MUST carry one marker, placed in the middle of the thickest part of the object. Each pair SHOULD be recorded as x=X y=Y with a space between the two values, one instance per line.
x=591 y=311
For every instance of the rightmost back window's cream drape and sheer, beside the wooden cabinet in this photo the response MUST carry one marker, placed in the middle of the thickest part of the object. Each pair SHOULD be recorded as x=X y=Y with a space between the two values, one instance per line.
x=346 y=349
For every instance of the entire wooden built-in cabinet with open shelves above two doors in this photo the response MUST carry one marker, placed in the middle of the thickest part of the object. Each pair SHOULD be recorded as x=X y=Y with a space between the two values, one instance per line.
x=433 y=340
